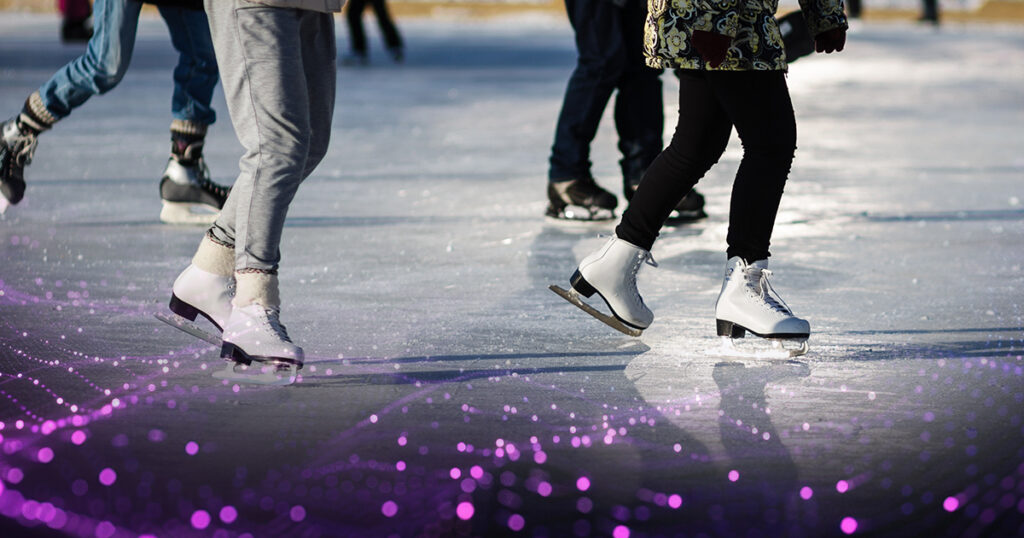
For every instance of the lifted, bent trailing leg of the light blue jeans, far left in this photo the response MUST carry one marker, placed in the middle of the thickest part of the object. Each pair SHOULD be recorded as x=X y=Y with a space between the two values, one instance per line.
x=104 y=65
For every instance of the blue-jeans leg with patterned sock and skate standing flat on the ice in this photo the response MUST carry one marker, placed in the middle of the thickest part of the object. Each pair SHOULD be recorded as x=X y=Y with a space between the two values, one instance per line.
x=186 y=182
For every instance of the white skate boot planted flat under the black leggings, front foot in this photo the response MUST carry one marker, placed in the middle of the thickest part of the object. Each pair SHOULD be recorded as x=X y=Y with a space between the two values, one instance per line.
x=748 y=303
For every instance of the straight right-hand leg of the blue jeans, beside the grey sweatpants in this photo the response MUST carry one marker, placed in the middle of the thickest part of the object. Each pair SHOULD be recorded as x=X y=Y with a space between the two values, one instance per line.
x=196 y=74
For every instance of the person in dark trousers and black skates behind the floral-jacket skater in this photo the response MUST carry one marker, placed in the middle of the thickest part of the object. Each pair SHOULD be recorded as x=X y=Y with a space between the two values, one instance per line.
x=610 y=47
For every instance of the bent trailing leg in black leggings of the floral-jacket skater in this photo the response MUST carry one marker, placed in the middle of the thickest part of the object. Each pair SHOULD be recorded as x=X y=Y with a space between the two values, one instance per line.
x=702 y=136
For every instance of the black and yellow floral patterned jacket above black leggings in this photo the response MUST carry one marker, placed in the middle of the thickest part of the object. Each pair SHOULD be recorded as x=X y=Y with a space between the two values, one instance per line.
x=757 y=44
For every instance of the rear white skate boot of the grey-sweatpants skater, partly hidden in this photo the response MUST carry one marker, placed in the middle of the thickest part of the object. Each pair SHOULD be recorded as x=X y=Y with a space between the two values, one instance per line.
x=207 y=285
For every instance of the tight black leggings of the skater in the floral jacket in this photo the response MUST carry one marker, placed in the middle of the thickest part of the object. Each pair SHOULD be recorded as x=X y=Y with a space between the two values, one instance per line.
x=711 y=103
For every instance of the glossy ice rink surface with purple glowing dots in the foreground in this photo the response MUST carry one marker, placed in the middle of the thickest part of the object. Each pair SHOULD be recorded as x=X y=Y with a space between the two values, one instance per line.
x=447 y=392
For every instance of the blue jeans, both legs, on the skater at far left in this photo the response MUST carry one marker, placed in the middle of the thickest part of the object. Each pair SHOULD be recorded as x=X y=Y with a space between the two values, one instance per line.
x=109 y=53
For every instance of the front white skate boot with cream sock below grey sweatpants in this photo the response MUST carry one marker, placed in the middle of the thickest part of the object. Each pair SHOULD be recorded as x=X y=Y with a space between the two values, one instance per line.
x=254 y=332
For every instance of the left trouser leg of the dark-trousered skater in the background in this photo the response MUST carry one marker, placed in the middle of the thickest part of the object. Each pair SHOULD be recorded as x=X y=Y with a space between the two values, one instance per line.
x=600 y=67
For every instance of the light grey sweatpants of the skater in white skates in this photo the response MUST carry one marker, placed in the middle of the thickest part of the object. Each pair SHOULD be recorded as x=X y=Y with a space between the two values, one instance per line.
x=278 y=70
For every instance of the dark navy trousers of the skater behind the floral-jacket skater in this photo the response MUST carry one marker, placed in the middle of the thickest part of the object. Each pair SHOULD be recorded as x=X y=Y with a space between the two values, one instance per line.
x=610 y=43
